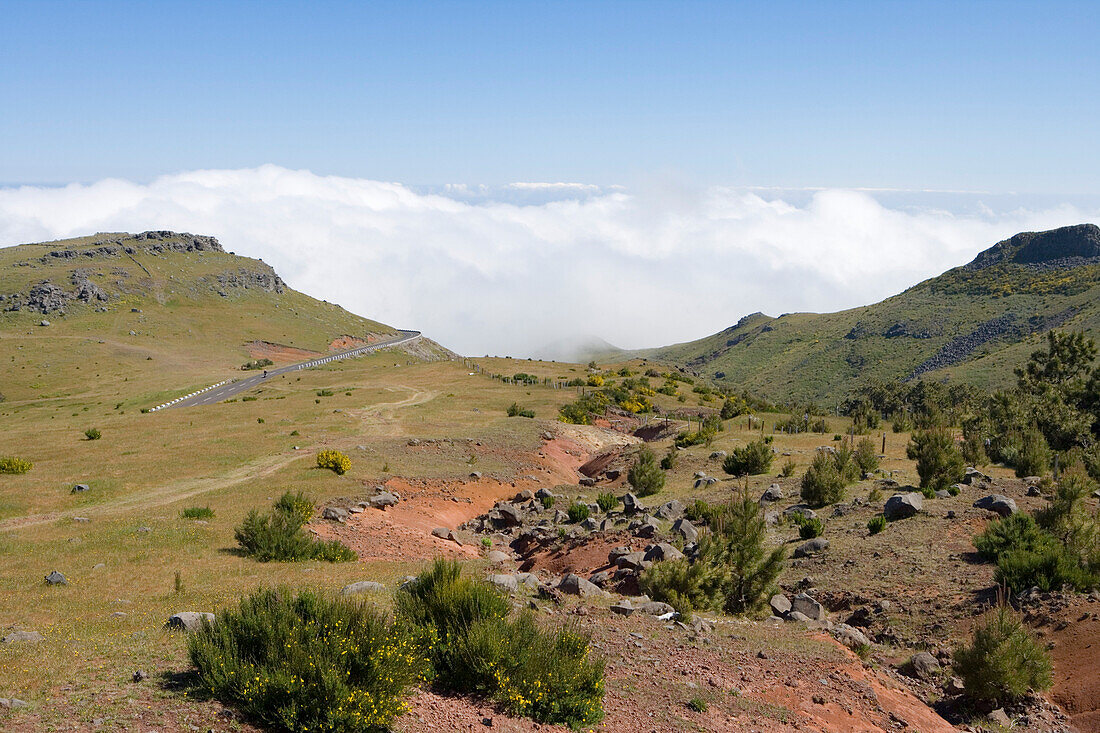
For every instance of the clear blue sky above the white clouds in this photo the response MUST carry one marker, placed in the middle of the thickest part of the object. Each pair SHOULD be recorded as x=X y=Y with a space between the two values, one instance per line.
x=977 y=96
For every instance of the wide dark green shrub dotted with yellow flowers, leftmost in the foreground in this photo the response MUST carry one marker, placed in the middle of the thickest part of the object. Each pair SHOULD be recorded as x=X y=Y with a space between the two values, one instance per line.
x=307 y=663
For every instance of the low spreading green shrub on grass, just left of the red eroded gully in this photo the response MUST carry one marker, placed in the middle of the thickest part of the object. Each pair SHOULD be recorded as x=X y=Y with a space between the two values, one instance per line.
x=279 y=537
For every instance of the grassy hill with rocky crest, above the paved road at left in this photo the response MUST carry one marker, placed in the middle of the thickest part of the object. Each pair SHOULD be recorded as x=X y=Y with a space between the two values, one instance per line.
x=163 y=311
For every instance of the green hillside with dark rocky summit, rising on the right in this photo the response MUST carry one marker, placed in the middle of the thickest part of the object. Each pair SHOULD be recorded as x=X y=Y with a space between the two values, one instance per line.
x=974 y=323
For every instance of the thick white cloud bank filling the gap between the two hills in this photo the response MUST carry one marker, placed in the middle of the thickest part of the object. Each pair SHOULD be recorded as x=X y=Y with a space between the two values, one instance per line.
x=509 y=270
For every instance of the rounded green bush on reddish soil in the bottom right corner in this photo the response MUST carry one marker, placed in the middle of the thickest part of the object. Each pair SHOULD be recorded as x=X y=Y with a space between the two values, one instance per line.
x=1003 y=662
